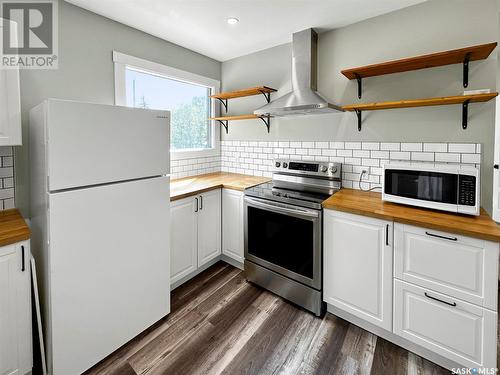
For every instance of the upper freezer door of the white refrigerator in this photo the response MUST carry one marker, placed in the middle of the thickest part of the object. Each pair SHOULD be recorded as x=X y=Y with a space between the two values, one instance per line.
x=90 y=144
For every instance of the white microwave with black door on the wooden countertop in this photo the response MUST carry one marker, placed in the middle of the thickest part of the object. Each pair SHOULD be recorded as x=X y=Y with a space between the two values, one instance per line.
x=447 y=187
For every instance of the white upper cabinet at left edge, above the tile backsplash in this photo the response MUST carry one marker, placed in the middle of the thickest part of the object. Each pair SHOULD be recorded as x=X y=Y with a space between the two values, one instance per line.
x=10 y=105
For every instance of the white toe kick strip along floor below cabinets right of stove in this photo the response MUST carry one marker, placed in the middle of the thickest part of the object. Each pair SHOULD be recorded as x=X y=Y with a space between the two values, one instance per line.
x=389 y=336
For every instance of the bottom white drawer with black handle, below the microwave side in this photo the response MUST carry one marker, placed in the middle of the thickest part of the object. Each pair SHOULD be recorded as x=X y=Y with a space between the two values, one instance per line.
x=457 y=330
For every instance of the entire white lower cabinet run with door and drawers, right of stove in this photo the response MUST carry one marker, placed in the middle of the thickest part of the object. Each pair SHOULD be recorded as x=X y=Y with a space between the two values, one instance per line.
x=431 y=292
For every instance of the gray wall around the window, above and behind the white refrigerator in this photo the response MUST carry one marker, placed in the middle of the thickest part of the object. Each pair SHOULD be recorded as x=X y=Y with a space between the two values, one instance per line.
x=86 y=42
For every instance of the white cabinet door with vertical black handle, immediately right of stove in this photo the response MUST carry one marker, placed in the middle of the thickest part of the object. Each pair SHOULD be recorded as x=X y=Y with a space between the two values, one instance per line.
x=358 y=266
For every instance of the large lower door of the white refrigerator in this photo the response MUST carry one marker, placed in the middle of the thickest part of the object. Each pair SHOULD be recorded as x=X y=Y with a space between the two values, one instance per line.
x=110 y=268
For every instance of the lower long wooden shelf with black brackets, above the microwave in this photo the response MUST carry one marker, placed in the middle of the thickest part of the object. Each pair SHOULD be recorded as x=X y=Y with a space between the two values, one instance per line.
x=464 y=100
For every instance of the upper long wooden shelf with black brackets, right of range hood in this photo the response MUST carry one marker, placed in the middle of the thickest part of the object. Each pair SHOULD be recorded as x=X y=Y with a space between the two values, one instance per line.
x=456 y=56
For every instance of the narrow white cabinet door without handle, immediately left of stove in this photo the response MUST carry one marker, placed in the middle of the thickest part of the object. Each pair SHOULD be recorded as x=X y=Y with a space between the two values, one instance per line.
x=232 y=224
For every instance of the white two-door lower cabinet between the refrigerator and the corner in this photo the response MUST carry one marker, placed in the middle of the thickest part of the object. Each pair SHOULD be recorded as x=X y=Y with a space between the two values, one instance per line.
x=195 y=232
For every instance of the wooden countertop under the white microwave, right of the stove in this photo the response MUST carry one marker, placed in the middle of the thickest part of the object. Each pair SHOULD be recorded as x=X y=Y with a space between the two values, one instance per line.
x=371 y=204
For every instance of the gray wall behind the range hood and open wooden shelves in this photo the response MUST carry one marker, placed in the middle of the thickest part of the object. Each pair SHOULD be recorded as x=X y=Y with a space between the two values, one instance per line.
x=425 y=28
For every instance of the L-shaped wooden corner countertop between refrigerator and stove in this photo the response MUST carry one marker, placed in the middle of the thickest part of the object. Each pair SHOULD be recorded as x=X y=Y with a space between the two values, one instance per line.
x=188 y=186
